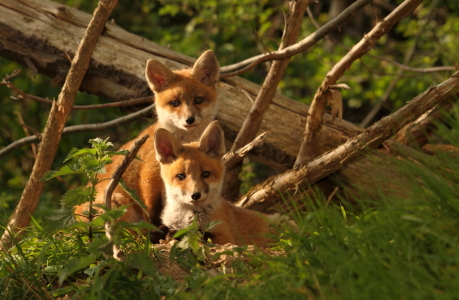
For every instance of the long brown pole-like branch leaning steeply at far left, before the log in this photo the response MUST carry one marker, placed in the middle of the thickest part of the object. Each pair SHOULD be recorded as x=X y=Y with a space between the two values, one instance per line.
x=55 y=124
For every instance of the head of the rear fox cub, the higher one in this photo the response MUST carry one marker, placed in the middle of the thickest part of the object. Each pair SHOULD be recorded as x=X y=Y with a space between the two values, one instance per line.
x=185 y=99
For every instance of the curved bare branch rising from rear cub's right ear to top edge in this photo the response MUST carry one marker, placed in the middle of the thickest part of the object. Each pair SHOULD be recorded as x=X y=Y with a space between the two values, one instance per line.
x=306 y=43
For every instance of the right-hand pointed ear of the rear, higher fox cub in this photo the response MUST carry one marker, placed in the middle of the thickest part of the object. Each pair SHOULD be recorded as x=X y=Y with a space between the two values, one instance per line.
x=206 y=69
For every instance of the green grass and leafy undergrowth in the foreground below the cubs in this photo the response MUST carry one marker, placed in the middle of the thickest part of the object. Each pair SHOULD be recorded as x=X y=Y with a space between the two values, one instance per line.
x=385 y=248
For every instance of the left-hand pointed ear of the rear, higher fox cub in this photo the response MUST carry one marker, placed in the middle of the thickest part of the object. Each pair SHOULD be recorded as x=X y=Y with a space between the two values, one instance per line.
x=159 y=76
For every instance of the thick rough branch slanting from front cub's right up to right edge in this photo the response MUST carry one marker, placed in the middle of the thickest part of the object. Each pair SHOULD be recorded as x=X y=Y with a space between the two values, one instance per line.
x=304 y=175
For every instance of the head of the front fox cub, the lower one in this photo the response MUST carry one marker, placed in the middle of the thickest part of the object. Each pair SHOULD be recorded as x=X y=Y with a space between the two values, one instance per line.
x=192 y=173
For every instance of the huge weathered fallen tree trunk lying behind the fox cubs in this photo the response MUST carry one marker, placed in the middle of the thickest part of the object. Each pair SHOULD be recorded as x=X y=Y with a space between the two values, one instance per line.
x=42 y=34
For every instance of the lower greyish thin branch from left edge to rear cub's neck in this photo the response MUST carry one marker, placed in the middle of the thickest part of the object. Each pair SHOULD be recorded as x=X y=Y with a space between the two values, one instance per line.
x=82 y=128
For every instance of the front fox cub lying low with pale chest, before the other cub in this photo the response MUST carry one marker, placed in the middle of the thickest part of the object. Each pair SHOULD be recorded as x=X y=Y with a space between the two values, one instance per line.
x=193 y=175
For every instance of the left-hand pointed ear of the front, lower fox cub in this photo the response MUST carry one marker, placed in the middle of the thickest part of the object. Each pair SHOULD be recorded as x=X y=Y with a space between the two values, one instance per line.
x=167 y=147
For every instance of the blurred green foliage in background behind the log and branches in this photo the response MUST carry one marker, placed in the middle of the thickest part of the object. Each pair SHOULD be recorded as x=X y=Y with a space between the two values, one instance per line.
x=228 y=27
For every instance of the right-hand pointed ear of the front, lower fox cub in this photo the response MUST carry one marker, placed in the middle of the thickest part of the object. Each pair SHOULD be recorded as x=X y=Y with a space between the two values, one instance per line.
x=212 y=141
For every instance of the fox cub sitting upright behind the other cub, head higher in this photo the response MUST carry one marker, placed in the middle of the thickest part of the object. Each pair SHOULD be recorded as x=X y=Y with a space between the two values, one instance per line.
x=186 y=102
